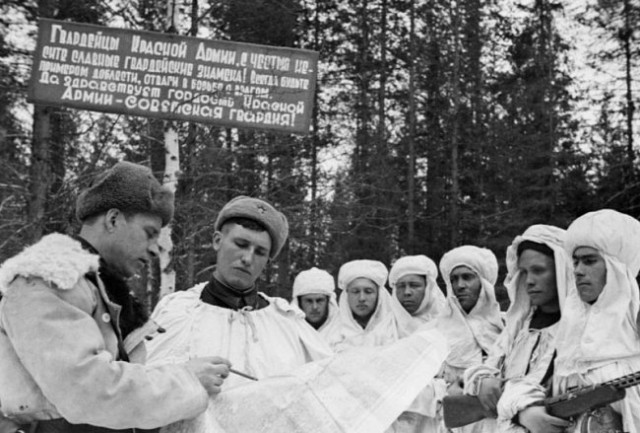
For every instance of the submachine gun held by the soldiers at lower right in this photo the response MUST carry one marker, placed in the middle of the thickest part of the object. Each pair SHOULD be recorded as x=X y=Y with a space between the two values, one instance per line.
x=585 y=405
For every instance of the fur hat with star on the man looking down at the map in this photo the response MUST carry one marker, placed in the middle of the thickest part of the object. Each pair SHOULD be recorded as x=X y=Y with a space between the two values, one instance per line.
x=260 y=211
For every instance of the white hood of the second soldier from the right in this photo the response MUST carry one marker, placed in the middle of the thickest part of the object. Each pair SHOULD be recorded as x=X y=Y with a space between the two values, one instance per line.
x=520 y=306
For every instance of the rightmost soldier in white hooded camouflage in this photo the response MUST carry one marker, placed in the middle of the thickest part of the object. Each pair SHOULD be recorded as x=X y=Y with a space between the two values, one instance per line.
x=598 y=337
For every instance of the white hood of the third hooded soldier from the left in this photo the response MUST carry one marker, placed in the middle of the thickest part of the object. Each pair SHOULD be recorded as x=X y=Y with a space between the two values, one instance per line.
x=433 y=303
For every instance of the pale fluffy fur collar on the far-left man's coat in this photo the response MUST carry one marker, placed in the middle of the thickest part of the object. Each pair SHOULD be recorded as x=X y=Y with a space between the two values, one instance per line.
x=57 y=259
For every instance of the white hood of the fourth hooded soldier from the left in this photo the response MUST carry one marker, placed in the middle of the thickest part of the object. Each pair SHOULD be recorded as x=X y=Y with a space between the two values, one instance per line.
x=478 y=329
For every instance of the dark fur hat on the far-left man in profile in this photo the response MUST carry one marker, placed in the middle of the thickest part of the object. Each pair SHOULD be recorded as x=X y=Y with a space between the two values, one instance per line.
x=128 y=187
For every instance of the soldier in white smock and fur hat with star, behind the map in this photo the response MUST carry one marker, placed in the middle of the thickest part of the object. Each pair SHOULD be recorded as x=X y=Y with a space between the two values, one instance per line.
x=228 y=316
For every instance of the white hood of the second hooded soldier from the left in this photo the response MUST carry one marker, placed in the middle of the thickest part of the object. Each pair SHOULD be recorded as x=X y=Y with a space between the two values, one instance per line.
x=387 y=323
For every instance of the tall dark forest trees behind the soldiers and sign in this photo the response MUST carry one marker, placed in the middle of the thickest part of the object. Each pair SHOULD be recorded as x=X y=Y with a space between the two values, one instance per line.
x=437 y=123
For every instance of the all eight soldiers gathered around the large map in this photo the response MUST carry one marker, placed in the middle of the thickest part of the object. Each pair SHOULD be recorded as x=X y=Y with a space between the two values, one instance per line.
x=78 y=353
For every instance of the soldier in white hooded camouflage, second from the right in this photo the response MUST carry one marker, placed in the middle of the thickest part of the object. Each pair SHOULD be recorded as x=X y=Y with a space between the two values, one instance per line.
x=539 y=273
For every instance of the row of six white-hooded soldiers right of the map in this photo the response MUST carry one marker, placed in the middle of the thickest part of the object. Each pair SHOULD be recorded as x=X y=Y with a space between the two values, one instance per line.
x=572 y=320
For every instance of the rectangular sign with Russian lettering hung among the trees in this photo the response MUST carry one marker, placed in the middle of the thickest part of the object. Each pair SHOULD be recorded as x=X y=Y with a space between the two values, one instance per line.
x=173 y=77
